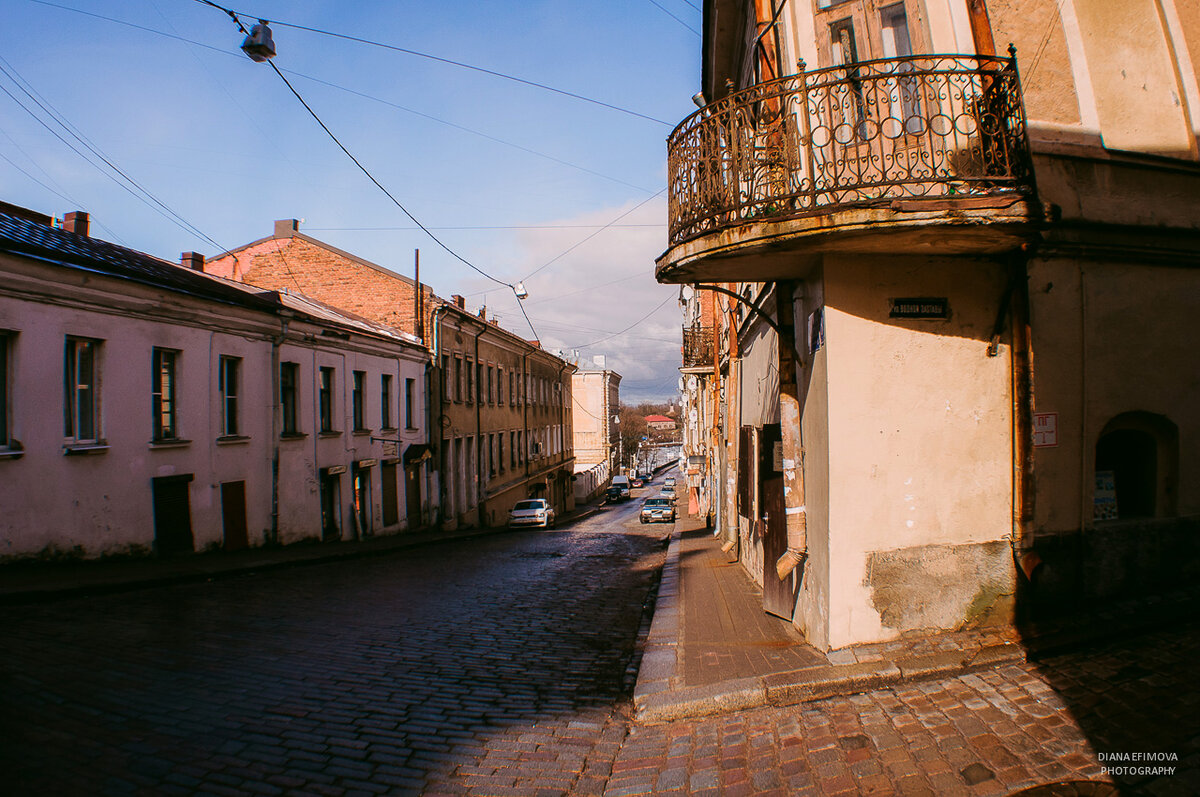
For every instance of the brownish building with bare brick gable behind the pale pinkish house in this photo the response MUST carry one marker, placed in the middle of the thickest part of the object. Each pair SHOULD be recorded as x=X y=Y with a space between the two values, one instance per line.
x=500 y=406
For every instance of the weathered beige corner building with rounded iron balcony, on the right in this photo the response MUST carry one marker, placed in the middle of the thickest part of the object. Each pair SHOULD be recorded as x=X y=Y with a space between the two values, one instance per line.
x=952 y=303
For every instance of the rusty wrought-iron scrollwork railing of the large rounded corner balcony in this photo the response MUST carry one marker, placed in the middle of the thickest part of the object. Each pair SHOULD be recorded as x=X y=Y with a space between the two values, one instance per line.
x=851 y=136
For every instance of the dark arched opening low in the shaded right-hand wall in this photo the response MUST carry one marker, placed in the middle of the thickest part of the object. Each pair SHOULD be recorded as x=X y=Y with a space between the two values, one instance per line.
x=1137 y=468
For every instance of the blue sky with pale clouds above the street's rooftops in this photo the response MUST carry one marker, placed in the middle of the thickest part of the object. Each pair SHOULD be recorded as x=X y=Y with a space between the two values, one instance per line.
x=521 y=182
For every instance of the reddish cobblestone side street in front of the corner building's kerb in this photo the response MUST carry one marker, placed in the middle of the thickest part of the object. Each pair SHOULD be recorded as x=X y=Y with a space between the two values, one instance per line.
x=1132 y=706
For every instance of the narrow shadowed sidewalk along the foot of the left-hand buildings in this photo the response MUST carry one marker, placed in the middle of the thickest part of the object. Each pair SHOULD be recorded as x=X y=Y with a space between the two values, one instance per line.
x=34 y=582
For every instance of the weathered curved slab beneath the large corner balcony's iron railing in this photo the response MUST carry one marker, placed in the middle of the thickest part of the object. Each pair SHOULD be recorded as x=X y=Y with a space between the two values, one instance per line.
x=791 y=249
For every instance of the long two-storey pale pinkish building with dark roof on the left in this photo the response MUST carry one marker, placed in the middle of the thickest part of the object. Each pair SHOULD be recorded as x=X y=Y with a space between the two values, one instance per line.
x=148 y=408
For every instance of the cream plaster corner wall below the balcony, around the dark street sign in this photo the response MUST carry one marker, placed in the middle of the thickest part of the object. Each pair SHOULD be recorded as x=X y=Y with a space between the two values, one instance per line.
x=921 y=459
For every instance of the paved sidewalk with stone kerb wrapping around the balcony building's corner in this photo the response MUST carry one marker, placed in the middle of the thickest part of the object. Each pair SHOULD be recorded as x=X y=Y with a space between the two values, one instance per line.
x=712 y=649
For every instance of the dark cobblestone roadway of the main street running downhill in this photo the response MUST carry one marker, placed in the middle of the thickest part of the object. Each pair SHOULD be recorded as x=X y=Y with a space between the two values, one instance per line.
x=499 y=664
